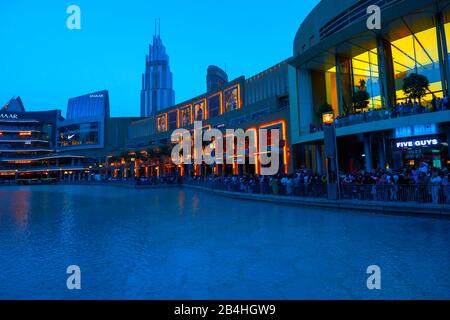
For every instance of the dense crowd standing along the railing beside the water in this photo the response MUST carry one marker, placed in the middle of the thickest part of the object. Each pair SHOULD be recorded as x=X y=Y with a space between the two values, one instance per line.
x=423 y=184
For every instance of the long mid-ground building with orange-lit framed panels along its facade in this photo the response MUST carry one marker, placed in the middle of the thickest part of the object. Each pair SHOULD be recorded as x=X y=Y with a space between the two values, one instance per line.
x=259 y=102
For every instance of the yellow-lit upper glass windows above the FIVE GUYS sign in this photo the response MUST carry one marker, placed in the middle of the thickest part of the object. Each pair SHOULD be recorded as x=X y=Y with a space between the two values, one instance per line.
x=417 y=53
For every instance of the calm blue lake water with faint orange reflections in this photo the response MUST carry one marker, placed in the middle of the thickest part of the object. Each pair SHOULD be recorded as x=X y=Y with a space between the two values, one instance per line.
x=188 y=244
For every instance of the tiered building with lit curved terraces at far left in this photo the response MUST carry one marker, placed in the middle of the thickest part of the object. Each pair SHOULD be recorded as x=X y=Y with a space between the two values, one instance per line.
x=28 y=147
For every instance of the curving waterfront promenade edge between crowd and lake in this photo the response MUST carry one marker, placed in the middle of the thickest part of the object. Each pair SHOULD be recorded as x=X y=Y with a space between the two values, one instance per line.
x=380 y=202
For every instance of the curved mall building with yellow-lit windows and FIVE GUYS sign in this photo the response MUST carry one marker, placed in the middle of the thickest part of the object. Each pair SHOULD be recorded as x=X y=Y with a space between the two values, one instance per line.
x=336 y=56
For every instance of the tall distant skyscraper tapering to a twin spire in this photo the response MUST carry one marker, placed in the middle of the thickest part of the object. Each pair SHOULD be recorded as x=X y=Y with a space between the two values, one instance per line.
x=157 y=82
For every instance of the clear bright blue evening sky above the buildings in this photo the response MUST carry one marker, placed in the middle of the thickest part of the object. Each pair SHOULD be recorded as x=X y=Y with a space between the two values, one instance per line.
x=45 y=63
